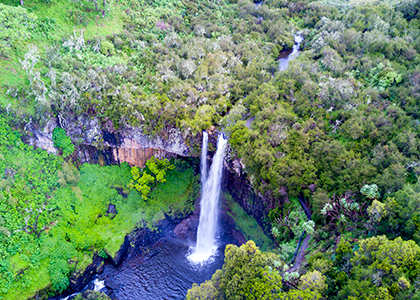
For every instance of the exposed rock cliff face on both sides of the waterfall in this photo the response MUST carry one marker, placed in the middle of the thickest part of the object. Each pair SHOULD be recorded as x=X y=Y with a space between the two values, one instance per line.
x=101 y=143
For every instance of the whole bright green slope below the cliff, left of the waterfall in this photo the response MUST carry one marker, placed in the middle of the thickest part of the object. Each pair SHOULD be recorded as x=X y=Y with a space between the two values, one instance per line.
x=54 y=217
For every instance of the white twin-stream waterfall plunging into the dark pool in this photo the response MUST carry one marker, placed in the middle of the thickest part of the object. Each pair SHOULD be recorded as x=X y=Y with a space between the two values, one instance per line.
x=206 y=243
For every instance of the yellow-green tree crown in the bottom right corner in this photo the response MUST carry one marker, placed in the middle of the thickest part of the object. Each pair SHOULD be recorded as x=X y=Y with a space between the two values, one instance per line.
x=380 y=268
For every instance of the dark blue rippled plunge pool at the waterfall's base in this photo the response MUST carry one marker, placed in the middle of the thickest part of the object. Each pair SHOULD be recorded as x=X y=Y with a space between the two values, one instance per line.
x=166 y=275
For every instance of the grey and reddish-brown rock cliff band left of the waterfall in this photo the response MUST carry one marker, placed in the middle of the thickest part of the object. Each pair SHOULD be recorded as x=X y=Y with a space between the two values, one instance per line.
x=101 y=143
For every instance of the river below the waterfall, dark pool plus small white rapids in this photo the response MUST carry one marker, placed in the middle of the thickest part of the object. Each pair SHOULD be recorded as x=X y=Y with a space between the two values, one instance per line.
x=163 y=271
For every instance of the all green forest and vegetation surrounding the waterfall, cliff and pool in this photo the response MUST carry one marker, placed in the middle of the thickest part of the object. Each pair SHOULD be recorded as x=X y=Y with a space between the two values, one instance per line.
x=339 y=127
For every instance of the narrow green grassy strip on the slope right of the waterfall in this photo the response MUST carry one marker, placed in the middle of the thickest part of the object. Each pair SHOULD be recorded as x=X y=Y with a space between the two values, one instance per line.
x=248 y=225
